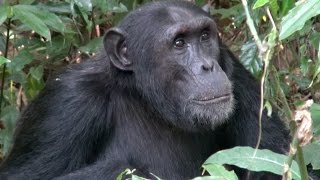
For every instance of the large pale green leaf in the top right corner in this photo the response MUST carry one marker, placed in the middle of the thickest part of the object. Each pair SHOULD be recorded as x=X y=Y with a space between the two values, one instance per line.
x=297 y=17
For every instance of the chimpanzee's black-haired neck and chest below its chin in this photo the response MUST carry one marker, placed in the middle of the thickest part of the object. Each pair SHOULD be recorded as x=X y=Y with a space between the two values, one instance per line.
x=145 y=138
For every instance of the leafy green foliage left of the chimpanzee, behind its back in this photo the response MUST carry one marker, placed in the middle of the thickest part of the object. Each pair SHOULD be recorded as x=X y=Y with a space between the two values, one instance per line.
x=43 y=36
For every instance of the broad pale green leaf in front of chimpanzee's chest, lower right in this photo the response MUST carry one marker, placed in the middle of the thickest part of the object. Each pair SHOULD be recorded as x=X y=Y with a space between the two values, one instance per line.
x=253 y=160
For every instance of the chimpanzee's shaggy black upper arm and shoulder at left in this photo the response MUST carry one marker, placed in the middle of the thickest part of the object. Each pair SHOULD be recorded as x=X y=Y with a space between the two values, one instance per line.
x=60 y=130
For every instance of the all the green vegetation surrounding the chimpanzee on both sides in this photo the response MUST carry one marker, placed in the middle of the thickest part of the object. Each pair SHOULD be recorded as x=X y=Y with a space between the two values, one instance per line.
x=277 y=41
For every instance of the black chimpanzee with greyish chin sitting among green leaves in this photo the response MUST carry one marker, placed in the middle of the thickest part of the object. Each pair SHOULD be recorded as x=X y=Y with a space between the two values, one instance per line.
x=163 y=96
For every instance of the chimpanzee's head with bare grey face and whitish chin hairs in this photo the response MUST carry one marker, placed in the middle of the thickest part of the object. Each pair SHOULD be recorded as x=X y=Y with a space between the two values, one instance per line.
x=177 y=66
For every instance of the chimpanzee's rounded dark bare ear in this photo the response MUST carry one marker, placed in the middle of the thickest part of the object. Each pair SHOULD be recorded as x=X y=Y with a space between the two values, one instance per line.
x=116 y=48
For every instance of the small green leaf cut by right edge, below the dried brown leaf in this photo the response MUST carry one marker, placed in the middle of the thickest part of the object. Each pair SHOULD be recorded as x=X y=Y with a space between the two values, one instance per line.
x=311 y=155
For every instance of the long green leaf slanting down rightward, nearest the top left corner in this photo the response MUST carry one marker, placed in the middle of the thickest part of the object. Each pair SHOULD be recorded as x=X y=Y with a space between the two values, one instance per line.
x=23 y=13
